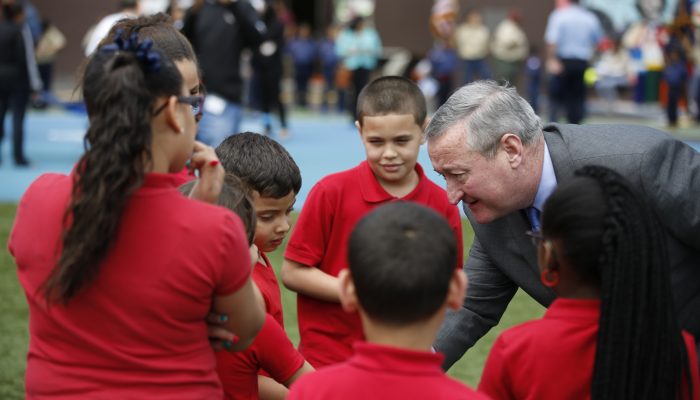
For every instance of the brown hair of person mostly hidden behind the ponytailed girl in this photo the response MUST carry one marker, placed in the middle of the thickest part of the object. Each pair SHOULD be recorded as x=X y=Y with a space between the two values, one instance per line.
x=159 y=28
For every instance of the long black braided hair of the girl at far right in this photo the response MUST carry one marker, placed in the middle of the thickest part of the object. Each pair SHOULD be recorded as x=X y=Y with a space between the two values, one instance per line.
x=610 y=235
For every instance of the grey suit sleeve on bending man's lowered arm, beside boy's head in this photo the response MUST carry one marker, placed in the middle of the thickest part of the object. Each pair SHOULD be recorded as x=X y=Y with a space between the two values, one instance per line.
x=488 y=293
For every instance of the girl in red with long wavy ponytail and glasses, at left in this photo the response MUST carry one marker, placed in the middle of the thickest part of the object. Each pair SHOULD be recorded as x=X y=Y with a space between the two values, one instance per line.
x=119 y=269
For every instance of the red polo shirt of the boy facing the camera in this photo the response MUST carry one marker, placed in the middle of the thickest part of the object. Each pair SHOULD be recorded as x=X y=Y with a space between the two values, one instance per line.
x=319 y=239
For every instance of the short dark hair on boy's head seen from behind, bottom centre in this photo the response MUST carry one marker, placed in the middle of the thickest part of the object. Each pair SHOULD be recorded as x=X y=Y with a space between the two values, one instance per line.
x=402 y=258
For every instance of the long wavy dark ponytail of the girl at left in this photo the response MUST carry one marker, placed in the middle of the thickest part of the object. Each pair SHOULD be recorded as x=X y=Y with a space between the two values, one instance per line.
x=120 y=92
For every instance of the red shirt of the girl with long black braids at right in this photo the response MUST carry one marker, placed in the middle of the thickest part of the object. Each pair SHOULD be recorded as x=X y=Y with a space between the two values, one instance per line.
x=553 y=357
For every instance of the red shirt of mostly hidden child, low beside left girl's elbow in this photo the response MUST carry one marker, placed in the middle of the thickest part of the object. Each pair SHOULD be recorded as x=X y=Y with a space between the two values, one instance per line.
x=271 y=351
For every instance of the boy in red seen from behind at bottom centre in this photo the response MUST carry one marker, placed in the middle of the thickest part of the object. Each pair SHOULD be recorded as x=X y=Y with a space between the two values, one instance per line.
x=401 y=279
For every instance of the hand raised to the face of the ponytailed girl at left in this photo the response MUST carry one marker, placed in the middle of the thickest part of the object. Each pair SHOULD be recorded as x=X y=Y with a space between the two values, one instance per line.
x=210 y=173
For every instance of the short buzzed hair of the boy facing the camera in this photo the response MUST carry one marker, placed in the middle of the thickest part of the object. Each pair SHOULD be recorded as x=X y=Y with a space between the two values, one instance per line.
x=391 y=95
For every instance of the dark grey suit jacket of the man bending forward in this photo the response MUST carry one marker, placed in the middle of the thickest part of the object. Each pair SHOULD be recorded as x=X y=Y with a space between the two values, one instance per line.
x=502 y=258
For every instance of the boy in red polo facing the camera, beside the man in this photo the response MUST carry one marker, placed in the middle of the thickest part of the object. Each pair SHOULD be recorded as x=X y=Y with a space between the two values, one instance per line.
x=391 y=118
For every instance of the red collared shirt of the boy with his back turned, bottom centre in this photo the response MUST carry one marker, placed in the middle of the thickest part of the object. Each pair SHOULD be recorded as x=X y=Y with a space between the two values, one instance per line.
x=382 y=372
